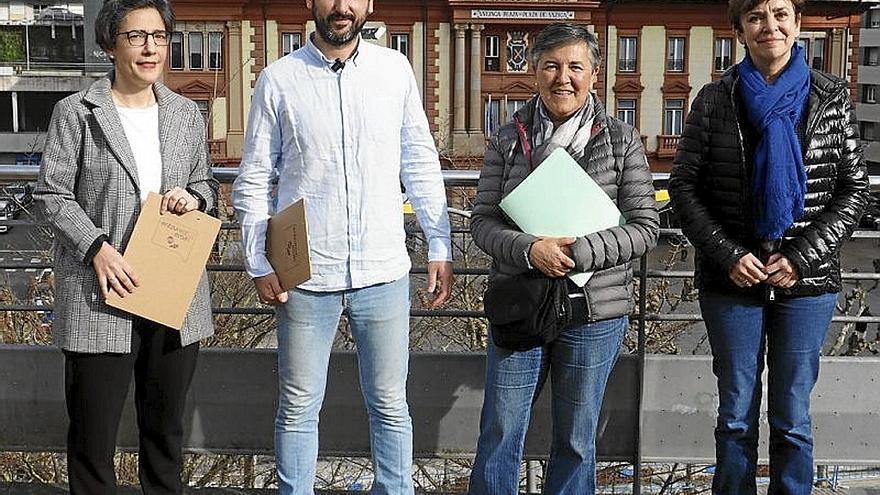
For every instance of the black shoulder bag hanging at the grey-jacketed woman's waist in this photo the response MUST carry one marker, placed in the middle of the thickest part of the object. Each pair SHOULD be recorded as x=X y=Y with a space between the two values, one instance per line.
x=526 y=310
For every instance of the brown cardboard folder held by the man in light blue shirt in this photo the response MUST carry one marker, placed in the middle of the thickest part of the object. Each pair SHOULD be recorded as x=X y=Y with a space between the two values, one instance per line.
x=287 y=245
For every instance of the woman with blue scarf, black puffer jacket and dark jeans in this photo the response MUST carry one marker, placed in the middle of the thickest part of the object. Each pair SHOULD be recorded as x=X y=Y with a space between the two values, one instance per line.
x=768 y=182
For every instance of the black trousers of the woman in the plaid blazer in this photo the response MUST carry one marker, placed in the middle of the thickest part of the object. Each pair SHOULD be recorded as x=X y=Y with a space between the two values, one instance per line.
x=96 y=386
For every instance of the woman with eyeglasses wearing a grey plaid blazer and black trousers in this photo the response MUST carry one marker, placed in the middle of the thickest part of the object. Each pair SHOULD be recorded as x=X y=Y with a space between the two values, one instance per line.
x=107 y=147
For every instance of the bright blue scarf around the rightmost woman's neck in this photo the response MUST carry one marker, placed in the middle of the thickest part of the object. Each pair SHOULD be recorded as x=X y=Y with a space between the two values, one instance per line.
x=780 y=181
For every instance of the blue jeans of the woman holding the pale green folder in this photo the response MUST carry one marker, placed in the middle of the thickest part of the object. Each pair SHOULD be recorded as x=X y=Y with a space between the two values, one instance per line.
x=579 y=362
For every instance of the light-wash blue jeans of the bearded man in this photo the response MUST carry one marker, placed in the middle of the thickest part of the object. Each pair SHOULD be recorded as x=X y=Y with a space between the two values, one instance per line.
x=307 y=323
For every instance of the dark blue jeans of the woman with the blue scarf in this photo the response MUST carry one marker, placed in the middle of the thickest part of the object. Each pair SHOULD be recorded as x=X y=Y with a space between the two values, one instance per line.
x=792 y=329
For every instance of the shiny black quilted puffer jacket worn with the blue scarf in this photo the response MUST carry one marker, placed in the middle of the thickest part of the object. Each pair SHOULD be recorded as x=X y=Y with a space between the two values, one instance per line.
x=711 y=185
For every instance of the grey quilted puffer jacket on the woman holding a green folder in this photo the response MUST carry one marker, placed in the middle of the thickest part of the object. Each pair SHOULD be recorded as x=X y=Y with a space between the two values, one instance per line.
x=614 y=158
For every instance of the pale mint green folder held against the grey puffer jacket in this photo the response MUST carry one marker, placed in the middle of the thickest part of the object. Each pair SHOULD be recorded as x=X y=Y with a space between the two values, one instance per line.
x=559 y=199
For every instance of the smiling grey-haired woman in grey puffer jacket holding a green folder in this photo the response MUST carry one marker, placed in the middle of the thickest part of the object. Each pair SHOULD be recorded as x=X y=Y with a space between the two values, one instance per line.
x=565 y=114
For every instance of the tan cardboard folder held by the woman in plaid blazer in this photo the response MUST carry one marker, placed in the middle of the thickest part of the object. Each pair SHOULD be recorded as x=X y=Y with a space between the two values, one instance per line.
x=168 y=253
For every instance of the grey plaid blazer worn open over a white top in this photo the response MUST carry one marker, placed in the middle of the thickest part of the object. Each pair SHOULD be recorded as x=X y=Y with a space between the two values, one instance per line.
x=88 y=187
